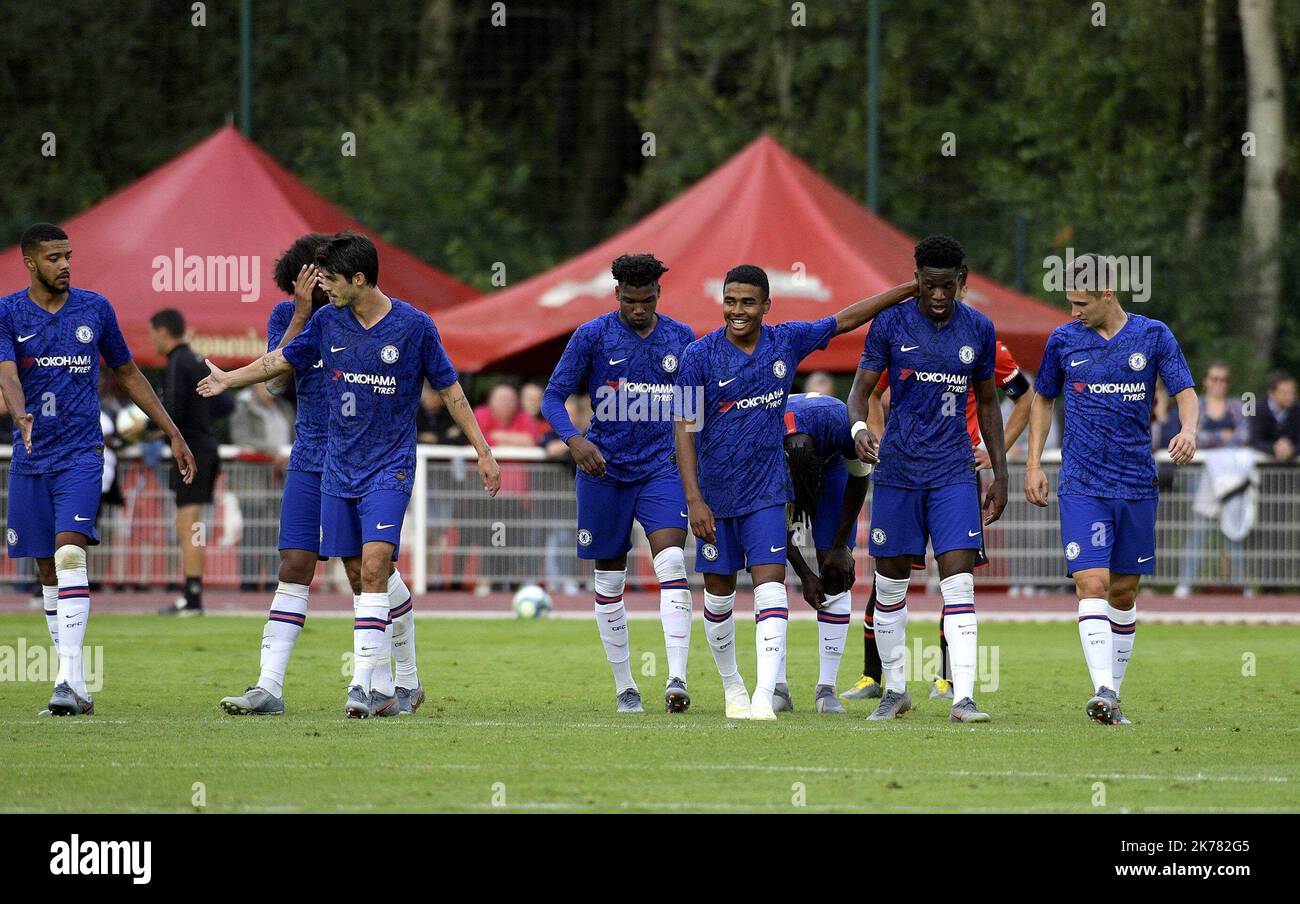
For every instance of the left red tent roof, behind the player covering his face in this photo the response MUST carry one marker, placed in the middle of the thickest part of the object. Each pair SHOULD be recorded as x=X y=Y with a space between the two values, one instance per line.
x=222 y=202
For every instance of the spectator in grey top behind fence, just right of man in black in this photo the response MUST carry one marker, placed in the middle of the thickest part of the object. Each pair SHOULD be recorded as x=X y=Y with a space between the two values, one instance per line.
x=263 y=426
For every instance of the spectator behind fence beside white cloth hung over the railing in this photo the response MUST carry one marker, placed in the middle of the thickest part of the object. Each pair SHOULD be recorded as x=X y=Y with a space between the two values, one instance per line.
x=1224 y=426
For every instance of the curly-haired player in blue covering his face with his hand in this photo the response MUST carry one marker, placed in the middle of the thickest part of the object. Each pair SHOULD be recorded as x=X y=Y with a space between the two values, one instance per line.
x=301 y=509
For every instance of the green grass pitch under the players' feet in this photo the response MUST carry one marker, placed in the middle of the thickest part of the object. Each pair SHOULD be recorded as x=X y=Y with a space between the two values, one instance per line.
x=525 y=712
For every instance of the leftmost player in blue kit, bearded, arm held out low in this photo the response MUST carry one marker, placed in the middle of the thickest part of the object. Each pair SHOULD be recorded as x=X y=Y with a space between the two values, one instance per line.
x=51 y=340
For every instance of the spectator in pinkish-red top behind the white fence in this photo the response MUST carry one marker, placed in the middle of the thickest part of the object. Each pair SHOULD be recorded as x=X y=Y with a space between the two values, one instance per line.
x=505 y=423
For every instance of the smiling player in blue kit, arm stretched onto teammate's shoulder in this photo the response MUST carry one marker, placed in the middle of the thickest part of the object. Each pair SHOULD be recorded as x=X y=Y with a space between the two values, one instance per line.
x=731 y=399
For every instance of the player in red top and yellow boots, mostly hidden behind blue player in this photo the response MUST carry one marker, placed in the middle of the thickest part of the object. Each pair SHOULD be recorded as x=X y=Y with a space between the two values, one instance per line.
x=1008 y=378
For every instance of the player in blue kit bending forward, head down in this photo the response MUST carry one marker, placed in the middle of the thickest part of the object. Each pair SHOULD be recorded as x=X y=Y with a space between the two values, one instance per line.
x=830 y=487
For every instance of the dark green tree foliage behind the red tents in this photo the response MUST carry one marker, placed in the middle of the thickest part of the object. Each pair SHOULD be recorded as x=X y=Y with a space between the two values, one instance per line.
x=523 y=144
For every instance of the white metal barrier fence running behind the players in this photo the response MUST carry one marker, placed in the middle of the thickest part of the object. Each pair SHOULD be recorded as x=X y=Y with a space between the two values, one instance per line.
x=457 y=538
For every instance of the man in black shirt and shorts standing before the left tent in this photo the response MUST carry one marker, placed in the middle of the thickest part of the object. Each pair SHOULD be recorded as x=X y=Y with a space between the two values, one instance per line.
x=193 y=416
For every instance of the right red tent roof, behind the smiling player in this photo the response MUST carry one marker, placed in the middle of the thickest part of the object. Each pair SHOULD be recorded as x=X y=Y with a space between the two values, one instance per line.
x=821 y=249
